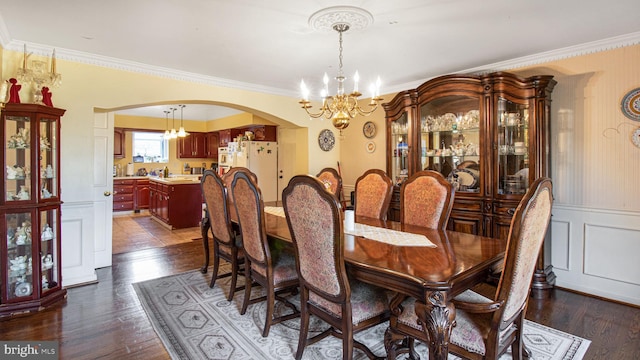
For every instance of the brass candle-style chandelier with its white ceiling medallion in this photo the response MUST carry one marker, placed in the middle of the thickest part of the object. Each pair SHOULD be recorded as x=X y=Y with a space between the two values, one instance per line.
x=341 y=107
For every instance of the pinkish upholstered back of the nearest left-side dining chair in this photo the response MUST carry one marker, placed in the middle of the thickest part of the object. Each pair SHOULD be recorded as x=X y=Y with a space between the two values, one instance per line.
x=314 y=219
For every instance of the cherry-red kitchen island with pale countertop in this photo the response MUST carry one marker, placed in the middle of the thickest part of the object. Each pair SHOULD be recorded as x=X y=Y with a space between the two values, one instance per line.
x=175 y=202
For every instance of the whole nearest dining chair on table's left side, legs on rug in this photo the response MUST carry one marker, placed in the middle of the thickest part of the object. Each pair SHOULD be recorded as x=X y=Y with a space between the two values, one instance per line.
x=347 y=305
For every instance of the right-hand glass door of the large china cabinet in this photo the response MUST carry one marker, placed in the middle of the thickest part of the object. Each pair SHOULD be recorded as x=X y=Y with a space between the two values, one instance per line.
x=513 y=147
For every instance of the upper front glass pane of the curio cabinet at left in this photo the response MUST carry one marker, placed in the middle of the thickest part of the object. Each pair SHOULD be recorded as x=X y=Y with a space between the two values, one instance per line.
x=17 y=130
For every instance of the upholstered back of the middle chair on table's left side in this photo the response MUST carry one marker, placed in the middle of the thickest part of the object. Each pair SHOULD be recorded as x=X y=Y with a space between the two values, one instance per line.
x=250 y=209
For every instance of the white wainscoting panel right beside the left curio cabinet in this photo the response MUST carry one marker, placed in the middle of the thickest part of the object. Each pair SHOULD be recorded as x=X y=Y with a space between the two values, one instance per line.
x=78 y=265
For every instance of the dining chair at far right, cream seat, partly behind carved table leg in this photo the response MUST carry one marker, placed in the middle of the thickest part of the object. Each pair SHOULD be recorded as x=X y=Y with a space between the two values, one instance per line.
x=486 y=328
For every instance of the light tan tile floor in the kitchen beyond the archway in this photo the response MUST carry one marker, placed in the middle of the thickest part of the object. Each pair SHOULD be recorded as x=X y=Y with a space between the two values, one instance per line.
x=132 y=232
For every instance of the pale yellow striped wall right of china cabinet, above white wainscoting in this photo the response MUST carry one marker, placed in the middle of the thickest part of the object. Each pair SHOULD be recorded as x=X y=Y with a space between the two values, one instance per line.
x=594 y=163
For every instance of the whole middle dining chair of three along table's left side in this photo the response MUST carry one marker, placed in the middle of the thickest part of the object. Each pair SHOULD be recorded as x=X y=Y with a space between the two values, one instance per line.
x=275 y=271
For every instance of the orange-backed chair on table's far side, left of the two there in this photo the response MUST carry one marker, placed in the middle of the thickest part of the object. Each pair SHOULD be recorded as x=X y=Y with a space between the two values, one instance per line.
x=373 y=194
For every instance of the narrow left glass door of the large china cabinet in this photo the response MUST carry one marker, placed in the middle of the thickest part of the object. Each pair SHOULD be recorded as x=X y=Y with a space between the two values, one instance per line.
x=399 y=149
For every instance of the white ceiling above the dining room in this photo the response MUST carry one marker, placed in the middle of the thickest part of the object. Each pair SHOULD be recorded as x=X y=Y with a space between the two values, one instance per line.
x=269 y=45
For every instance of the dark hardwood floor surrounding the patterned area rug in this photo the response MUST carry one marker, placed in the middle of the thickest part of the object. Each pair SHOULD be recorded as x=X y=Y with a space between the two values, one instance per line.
x=105 y=320
